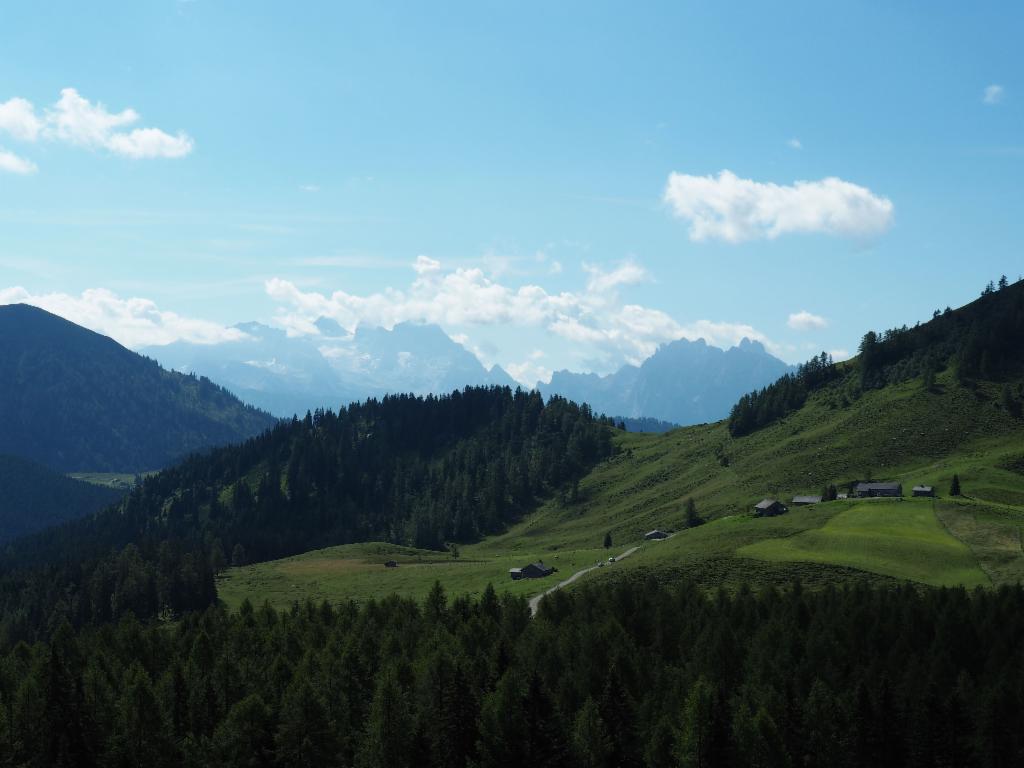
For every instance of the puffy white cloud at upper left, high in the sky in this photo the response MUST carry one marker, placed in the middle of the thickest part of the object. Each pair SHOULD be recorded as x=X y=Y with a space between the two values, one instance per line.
x=76 y=121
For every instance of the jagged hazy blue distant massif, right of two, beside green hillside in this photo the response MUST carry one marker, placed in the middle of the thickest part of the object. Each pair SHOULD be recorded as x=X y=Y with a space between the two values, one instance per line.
x=685 y=382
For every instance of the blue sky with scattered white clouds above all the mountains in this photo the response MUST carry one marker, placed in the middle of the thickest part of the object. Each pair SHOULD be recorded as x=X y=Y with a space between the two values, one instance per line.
x=546 y=183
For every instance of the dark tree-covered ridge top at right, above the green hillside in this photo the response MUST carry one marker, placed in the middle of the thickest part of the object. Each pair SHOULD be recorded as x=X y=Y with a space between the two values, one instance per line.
x=983 y=340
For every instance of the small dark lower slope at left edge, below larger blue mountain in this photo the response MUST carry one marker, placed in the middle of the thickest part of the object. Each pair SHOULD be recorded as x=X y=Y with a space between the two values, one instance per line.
x=34 y=497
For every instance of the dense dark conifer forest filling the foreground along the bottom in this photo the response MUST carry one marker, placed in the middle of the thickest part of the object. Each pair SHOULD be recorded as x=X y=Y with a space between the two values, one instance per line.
x=634 y=674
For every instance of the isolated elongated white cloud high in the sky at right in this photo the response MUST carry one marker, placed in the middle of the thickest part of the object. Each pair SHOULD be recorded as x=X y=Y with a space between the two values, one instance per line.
x=735 y=210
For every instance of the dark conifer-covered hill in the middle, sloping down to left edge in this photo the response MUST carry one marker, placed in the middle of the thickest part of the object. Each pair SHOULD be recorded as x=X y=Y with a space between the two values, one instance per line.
x=424 y=472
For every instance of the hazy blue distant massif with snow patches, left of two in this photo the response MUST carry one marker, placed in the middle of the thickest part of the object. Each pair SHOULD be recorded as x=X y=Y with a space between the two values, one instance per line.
x=292 y=375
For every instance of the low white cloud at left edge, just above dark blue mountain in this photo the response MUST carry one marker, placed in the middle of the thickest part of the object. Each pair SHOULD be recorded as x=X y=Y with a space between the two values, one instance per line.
x=134 y=322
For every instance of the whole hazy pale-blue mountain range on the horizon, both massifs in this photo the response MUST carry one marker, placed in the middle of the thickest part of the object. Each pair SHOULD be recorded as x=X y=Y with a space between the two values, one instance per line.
x=686 y=382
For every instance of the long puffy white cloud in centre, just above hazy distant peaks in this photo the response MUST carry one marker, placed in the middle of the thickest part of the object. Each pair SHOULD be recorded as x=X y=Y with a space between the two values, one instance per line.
x=467 y=297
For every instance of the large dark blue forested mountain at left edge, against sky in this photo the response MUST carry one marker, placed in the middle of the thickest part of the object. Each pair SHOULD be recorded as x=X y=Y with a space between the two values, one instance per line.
x=76 y=401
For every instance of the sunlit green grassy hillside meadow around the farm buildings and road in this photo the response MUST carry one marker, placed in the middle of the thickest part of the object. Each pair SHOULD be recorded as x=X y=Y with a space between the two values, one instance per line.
x=902 y=433
